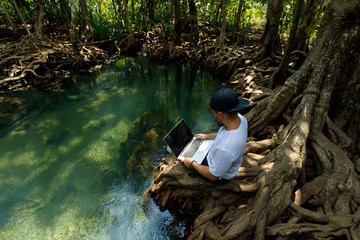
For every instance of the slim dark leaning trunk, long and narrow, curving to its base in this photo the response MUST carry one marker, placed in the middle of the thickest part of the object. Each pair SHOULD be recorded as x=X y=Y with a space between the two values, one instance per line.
x=281 y=74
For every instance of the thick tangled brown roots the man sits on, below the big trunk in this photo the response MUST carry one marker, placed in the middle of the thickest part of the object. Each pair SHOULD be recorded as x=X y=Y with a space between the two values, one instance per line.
x=273 y=177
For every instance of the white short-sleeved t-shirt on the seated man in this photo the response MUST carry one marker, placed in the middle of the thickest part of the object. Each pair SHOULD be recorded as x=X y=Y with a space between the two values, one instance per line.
x=226 y=153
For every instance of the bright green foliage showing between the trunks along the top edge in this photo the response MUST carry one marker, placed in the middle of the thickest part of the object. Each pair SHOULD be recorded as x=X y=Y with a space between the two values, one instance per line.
x=151 y=14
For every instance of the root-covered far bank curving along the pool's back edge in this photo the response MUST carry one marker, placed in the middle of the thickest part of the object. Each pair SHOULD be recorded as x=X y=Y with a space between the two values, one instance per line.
x=27 y=62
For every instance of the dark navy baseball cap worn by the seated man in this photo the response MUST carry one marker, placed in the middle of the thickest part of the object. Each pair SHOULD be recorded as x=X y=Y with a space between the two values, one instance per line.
x=226 y=100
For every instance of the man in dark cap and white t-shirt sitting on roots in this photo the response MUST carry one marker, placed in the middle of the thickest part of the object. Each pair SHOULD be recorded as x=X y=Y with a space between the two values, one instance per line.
x=226 y=153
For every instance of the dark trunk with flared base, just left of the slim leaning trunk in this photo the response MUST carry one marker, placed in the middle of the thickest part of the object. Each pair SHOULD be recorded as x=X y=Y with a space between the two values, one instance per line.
x=270 y=41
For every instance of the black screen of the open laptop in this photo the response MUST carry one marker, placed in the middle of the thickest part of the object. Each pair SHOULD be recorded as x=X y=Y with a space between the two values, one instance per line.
x=178 y=137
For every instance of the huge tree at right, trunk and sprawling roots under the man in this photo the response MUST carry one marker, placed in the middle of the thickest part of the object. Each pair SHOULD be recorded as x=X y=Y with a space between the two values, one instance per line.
x=300 y=178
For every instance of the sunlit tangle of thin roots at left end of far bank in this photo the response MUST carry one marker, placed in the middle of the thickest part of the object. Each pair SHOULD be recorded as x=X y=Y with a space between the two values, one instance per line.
x=38 y=57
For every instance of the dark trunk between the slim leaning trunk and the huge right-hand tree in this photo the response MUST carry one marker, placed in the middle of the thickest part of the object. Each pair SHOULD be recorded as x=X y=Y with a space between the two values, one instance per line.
x=305 y=27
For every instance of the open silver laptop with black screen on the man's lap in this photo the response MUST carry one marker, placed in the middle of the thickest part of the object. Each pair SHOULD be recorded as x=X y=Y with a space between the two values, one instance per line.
x=183 y=144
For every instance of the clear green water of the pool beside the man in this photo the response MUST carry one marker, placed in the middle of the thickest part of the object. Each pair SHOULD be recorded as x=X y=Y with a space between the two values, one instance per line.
x=62 y=172
